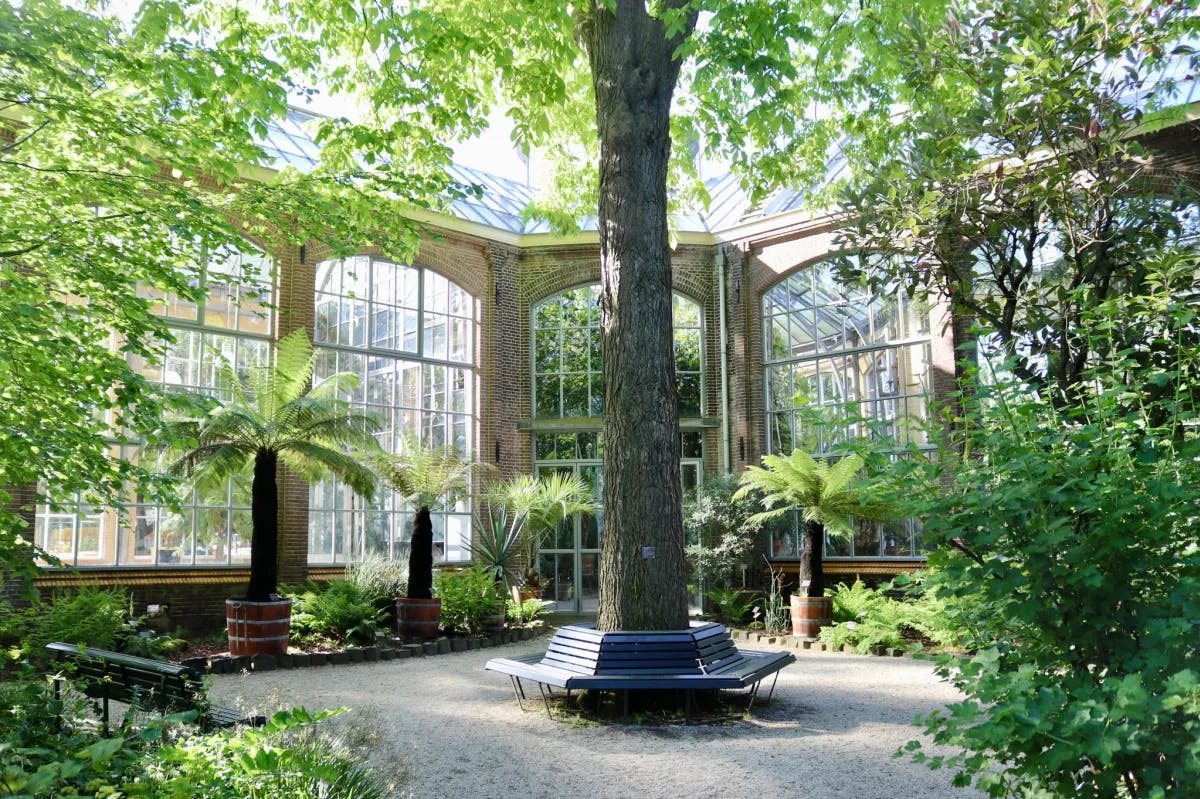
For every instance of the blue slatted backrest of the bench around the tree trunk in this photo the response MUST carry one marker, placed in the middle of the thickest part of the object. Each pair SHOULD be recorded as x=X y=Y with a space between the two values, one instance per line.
x=704 y=650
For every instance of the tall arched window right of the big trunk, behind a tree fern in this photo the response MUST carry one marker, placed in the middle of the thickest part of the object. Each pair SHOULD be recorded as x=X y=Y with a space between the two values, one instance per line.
x=845 y=364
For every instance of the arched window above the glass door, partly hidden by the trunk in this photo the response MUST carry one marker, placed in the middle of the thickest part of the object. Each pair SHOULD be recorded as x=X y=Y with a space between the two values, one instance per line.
x=568 y=368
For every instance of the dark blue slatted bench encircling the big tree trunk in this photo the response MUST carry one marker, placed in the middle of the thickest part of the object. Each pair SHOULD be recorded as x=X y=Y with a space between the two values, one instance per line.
x=700 y=659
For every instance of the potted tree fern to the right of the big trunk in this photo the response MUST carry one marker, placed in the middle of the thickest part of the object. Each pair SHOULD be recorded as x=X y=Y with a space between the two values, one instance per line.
x=825 y=495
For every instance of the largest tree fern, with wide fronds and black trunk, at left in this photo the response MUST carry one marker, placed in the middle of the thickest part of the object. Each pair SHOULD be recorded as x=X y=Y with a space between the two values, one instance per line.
x=273 y=416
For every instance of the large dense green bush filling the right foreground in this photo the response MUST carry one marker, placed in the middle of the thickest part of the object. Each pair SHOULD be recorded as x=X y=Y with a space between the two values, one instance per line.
x=1069 y=555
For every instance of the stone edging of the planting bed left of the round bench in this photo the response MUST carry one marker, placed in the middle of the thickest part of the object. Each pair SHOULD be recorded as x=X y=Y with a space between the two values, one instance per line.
x=388 y=650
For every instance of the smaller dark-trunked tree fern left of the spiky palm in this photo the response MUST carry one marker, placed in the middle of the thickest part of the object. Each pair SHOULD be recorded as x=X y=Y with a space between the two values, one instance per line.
x=423 y=476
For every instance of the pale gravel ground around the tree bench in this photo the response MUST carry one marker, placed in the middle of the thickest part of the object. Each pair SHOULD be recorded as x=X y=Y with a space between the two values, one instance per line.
x=448 y=729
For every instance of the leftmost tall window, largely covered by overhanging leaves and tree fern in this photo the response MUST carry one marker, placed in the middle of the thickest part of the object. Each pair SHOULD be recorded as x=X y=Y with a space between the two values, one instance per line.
x=236 y=320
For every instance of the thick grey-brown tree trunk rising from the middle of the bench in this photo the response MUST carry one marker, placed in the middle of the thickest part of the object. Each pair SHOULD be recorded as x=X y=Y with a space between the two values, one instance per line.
x=643 y=568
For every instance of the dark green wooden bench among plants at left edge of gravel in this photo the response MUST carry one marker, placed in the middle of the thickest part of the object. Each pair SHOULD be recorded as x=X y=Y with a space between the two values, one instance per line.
x=141 y=682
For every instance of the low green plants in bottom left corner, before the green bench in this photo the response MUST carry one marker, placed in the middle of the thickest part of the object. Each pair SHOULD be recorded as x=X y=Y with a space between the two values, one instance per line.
x=53 y=750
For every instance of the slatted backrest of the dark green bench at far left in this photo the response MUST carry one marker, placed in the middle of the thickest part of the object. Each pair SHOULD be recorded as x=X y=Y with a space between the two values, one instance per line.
x=152 y=684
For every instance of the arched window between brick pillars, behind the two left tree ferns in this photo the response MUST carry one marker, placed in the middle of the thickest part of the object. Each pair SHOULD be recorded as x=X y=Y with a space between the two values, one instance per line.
x=409 y=334
